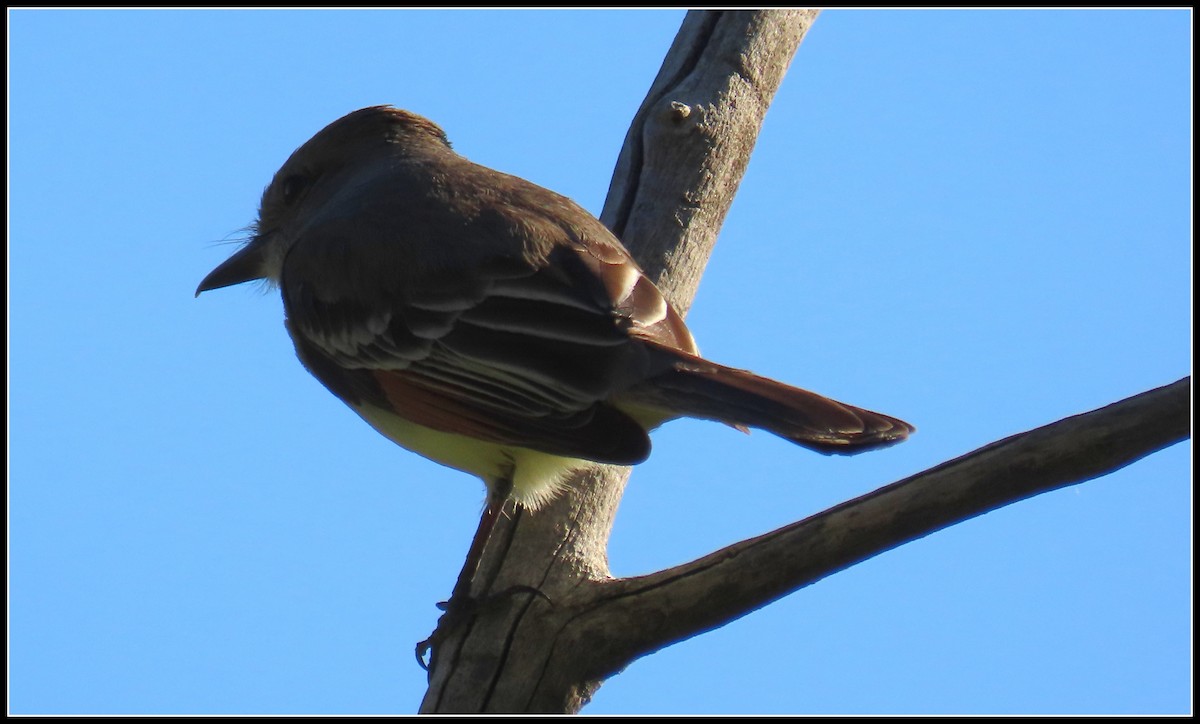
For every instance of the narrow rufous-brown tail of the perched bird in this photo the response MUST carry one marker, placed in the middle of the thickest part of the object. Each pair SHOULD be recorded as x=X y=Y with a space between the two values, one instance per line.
x=698 y=388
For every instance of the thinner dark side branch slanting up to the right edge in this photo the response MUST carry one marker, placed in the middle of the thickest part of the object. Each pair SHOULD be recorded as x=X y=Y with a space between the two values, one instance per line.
x=638 y=617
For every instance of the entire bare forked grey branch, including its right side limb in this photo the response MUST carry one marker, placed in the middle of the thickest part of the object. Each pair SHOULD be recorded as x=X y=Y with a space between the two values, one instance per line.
x=682 y=161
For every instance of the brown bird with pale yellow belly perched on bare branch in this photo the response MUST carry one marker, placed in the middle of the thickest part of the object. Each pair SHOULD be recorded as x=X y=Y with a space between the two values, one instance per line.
x=491 y=325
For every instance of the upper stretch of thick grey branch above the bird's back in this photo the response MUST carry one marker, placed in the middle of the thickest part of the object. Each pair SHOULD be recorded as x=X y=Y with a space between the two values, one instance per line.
x=691 y=142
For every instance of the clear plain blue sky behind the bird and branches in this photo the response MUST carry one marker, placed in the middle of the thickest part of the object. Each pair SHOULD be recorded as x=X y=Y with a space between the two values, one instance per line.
x=976 y=222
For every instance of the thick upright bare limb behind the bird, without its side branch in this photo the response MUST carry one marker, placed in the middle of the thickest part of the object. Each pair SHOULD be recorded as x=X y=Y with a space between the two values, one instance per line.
x=676 y=178
